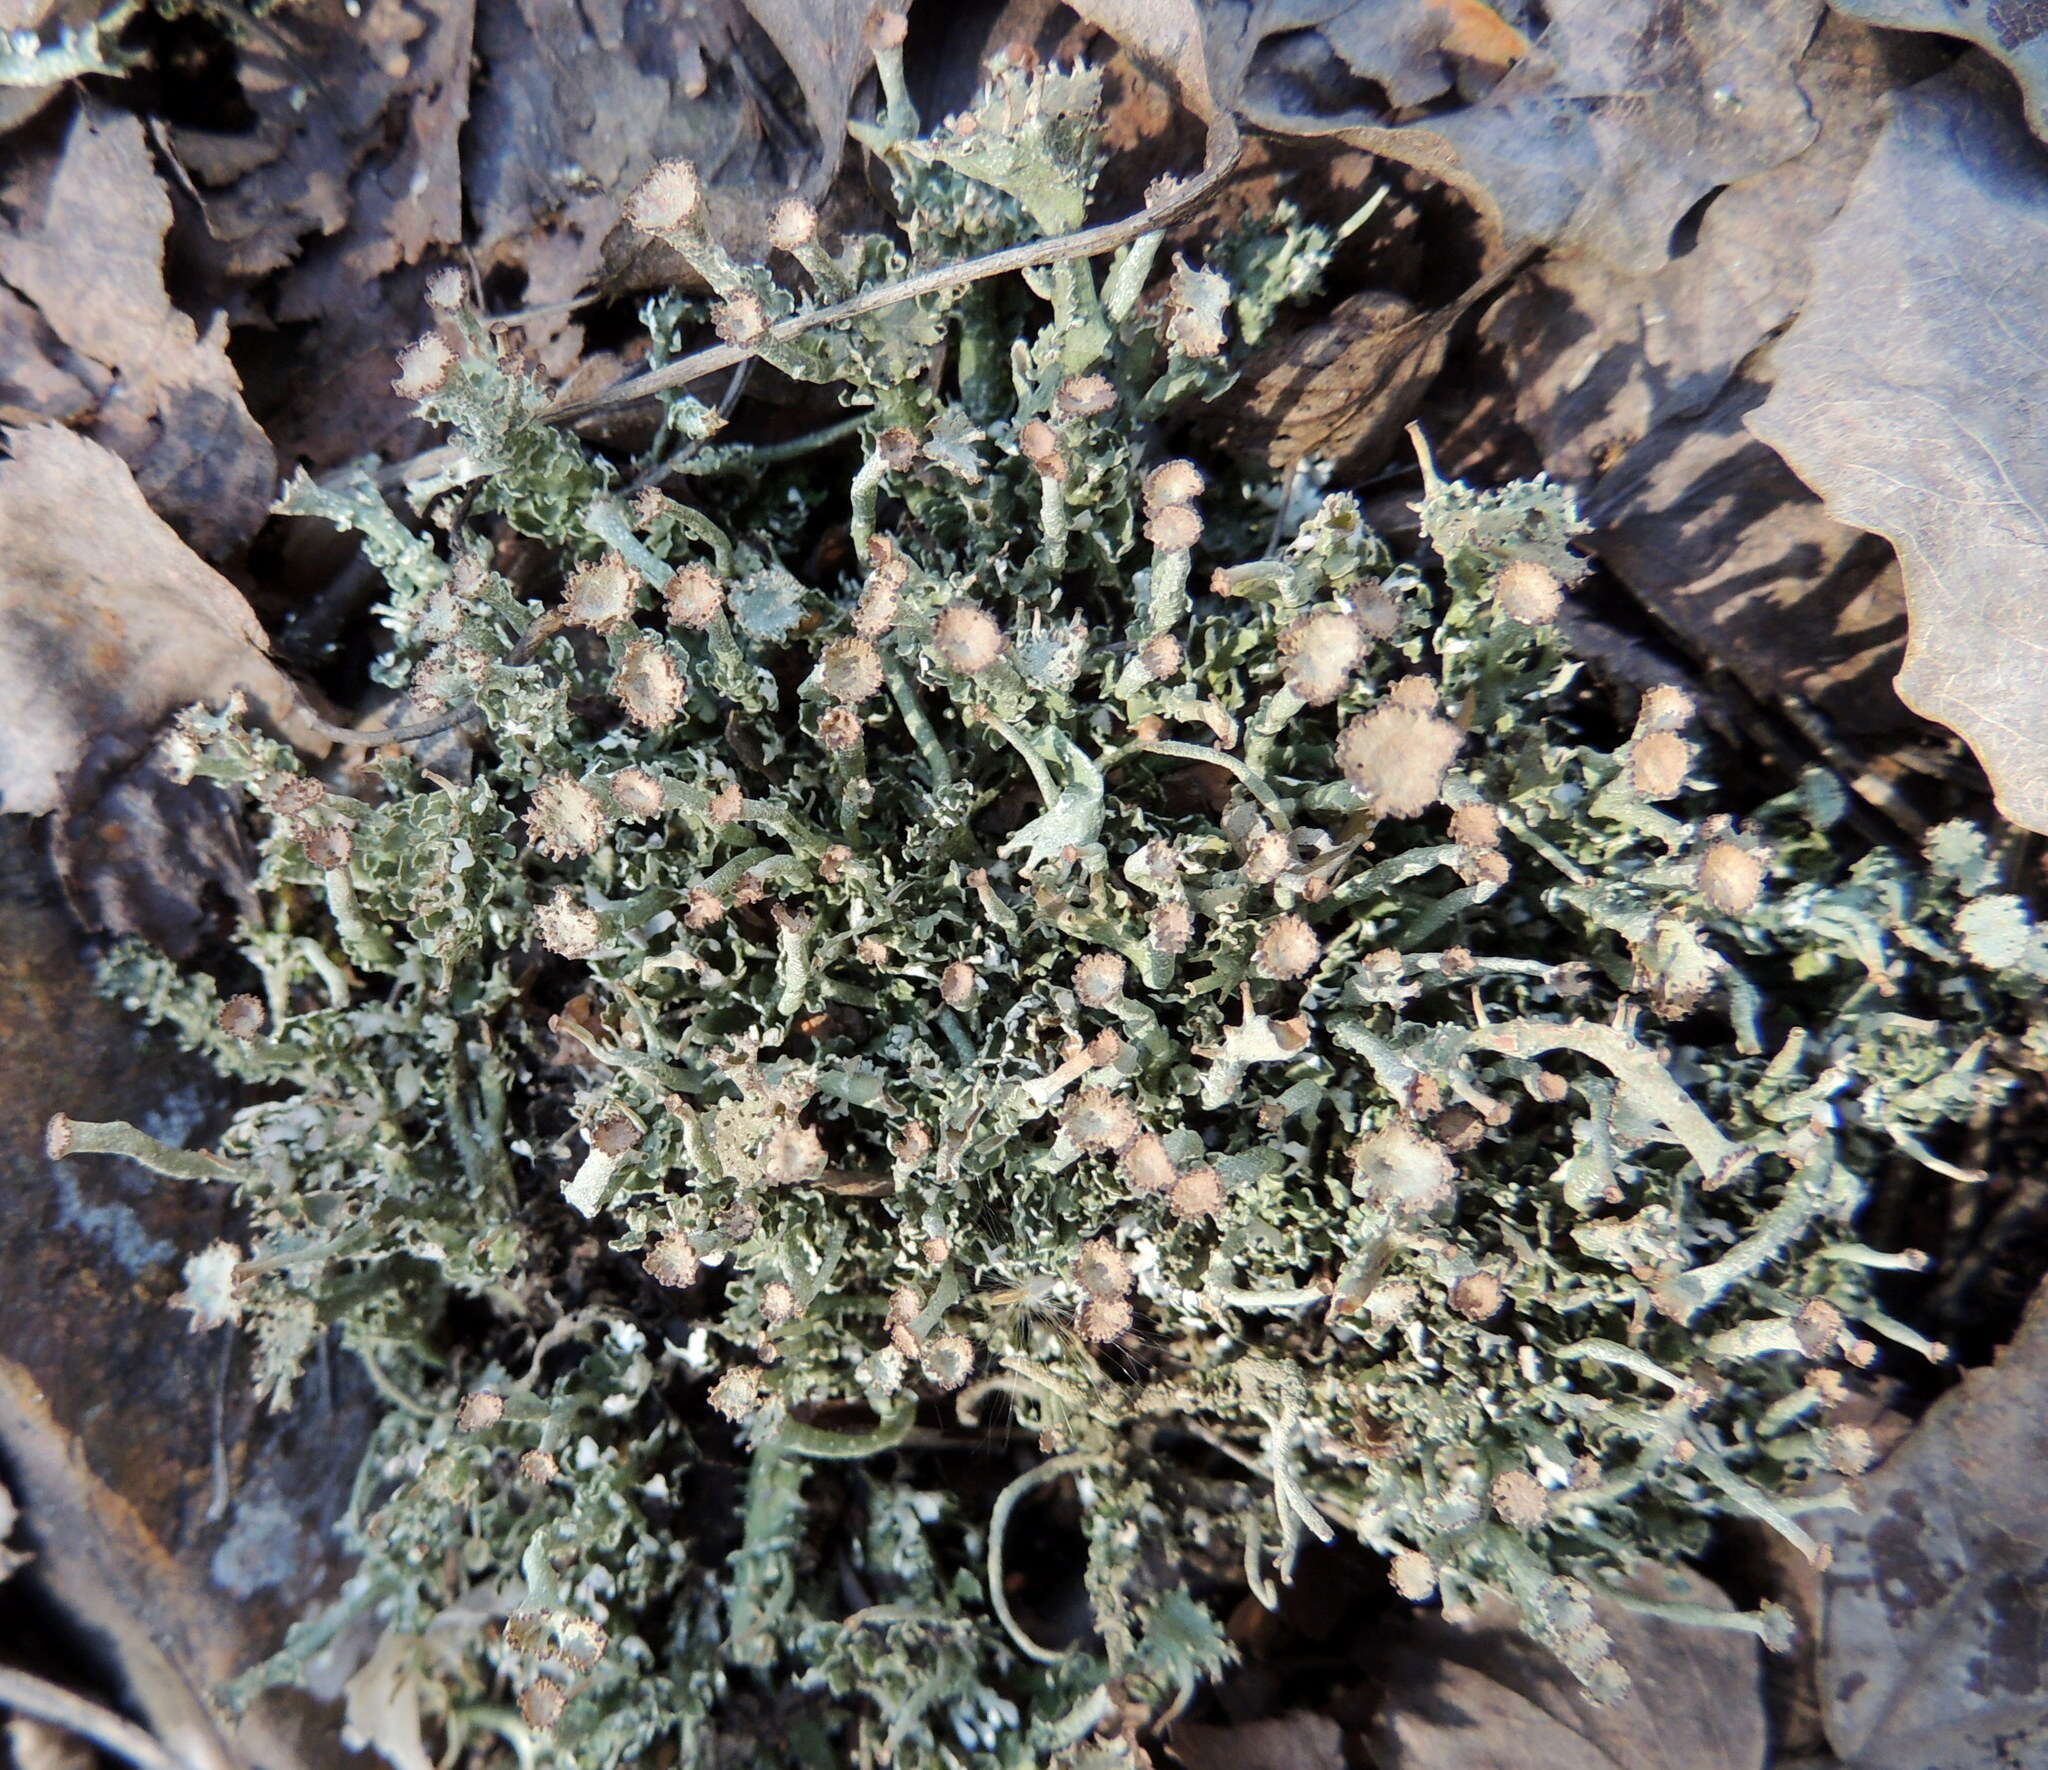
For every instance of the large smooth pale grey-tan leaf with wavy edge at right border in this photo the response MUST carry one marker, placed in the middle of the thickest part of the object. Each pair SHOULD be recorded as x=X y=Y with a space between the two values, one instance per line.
x=1910 y=396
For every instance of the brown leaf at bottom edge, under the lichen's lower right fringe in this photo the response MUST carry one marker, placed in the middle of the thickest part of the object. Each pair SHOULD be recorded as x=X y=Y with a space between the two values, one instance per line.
x=1480 y=1695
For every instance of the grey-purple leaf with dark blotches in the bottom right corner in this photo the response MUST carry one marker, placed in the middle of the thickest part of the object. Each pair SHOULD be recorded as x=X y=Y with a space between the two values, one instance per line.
x=1934 y=1640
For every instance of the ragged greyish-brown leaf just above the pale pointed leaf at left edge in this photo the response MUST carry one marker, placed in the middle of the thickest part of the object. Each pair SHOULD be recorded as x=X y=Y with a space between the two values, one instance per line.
x=87 y=251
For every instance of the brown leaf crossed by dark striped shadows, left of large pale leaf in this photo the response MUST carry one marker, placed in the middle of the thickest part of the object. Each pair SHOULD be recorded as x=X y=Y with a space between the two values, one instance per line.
x=1635 y=386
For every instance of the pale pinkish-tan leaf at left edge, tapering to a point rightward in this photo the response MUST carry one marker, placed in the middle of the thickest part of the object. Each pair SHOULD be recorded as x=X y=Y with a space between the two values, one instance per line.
x=108 y=620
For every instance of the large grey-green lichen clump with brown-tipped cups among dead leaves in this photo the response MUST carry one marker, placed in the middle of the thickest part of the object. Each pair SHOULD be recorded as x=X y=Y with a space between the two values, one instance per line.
x=1017 y=950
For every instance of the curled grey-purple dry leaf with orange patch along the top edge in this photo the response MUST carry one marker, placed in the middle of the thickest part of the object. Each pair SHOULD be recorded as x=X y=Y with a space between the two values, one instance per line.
x=1617 y=120
